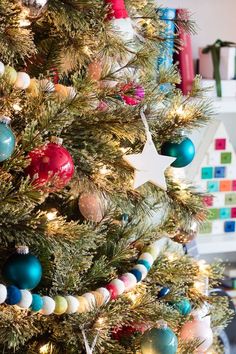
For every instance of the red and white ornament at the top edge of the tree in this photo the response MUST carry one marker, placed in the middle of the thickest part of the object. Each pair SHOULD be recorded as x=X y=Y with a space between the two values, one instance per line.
x=121 y=22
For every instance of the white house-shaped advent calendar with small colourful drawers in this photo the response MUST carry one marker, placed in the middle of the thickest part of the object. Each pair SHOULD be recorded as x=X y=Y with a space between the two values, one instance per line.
x=214 y=172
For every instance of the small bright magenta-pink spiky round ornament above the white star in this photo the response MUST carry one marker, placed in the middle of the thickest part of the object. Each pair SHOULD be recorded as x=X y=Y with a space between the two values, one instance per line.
x=132 y=94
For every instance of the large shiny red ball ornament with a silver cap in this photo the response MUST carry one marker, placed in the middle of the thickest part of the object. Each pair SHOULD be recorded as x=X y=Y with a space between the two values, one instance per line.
x=51 y=165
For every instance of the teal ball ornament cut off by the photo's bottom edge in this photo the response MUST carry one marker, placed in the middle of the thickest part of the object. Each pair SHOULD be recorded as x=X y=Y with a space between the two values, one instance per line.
x=159 y=341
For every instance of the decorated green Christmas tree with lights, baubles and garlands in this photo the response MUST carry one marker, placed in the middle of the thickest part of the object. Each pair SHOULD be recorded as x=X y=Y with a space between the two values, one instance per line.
x=93 y=227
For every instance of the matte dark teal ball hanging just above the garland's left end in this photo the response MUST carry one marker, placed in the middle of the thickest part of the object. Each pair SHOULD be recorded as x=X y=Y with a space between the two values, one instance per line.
x=23 y=269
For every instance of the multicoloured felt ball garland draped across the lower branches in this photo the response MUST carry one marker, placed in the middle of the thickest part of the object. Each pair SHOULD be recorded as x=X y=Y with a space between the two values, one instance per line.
x=69 y=304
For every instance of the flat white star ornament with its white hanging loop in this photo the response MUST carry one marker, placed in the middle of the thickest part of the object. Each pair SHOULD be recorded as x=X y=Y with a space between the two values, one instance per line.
x=149 y=165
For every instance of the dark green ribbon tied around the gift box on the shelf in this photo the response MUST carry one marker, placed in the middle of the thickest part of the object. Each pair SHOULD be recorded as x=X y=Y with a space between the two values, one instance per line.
x=215 y=53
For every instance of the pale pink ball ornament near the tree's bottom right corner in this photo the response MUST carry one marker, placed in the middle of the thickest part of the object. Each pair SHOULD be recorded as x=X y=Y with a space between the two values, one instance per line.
x=198 y=329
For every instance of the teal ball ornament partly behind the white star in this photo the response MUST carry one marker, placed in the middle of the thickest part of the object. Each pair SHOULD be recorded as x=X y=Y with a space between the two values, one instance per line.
x=184 y=152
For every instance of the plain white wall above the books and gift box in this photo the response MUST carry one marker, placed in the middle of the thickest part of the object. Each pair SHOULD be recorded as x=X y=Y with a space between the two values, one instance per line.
x=215 y=19
